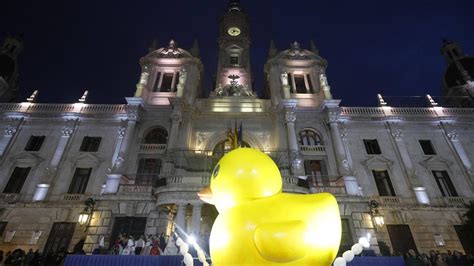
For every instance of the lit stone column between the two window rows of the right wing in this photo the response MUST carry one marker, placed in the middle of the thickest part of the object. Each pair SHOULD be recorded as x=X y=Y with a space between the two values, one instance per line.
x=416 y=185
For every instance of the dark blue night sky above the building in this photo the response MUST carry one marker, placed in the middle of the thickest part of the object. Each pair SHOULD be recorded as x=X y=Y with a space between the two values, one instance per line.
x=388 y=47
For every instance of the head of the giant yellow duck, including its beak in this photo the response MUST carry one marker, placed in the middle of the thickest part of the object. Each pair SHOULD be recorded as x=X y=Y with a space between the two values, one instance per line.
x=241 y=175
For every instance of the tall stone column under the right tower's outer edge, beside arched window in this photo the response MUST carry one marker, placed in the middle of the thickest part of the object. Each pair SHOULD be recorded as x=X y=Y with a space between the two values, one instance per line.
x=344 y=167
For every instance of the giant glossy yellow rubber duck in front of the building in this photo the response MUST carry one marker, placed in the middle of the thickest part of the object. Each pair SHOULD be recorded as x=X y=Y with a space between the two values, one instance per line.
x=259 y=225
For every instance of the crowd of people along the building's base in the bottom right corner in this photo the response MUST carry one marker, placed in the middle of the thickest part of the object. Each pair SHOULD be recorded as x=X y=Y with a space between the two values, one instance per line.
x=436 y=258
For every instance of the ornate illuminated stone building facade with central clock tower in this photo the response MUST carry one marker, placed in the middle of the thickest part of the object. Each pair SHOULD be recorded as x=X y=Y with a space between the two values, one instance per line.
x=144 y=162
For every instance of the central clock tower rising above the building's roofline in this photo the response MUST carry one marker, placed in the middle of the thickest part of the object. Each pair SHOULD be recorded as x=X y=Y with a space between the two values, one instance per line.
x=233 y=76
